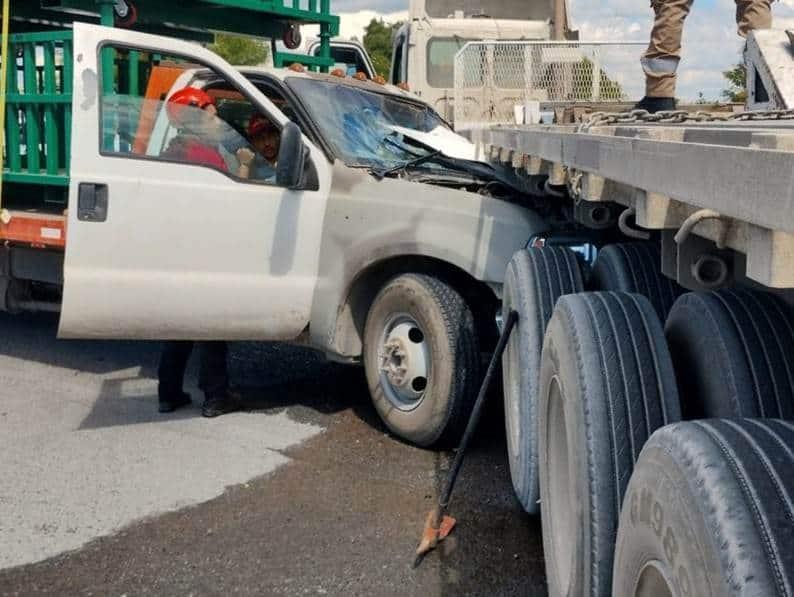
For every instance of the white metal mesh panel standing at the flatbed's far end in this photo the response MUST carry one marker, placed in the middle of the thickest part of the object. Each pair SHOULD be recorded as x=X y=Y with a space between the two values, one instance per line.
x=493 y=78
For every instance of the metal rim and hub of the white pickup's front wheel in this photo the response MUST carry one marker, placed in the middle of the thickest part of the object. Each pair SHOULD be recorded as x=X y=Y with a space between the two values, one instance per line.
x=404 y=359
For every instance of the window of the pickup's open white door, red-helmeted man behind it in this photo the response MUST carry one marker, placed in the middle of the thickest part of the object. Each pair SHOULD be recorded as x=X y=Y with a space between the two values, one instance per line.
x=161 y=107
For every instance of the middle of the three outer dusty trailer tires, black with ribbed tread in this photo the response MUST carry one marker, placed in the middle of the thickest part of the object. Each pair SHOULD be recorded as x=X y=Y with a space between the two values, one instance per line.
x=606 y=383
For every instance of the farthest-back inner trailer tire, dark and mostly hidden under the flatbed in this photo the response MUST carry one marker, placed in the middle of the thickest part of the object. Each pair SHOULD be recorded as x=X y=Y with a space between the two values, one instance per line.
x=636 y=267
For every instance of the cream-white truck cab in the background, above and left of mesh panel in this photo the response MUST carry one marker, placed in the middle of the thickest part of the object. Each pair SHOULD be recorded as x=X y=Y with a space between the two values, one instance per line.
x=424 y=48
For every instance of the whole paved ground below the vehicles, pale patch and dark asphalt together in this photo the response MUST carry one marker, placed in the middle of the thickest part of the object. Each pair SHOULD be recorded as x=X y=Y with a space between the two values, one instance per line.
x=302 y=494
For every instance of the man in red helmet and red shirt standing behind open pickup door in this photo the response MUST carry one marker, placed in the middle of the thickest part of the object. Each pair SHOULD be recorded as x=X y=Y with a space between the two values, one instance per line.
x=192 y=111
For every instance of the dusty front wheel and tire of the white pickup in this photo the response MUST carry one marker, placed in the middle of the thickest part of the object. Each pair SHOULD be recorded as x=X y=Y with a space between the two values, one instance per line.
x=422 y=359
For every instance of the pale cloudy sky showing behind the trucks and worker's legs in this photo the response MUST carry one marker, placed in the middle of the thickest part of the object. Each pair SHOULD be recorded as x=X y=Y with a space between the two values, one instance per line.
x=710 y=41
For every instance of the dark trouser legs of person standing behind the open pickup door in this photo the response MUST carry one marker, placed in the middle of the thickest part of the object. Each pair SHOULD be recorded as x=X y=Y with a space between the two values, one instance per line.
x=213 y=374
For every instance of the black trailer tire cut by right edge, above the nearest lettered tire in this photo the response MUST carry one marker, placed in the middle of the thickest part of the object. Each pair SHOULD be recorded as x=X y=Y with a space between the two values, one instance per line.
x=733 y=352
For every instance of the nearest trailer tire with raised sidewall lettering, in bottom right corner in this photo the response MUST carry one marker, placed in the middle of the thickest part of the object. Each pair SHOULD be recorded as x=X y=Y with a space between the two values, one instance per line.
x=708 y=512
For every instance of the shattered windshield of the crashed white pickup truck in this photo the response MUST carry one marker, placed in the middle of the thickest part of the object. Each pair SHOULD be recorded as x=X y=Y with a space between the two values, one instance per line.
x=367 y=128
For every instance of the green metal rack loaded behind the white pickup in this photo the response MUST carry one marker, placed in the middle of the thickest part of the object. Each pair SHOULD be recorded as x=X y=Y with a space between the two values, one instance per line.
x=38 y=83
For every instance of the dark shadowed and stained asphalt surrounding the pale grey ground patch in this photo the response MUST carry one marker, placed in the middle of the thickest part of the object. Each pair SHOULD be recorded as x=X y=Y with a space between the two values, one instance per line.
x=344 y=516
